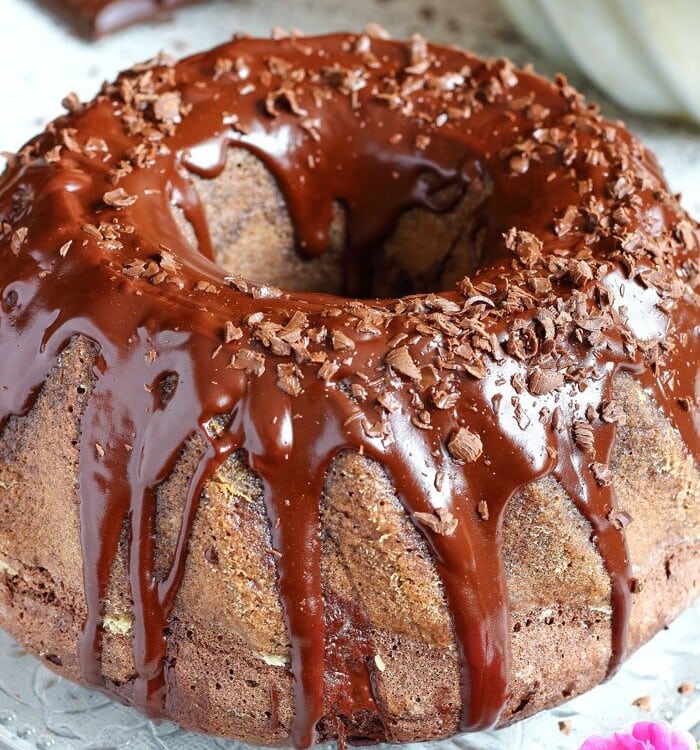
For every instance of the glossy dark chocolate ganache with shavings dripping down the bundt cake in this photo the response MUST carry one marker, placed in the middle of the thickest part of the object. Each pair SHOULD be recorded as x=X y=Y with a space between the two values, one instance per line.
x=581 y=266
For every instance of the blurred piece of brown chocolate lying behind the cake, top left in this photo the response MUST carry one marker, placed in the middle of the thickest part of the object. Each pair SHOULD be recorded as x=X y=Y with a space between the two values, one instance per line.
x=96 y=18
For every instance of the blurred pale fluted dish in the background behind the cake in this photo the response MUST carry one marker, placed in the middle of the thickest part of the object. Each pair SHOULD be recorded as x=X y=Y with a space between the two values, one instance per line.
x=643 y=53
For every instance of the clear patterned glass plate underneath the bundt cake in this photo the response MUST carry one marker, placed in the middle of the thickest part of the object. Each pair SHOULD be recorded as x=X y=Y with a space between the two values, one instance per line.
x=40 y=711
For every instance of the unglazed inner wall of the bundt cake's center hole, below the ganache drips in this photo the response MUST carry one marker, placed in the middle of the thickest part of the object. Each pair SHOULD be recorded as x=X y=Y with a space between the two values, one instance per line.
x=252 y=236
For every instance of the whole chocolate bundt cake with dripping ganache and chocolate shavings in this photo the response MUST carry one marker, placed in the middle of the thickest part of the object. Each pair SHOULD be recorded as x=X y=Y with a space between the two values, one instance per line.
x=349 y=389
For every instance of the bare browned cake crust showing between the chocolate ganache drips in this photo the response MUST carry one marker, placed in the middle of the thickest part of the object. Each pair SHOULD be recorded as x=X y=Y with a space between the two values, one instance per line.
x=392 y=668
